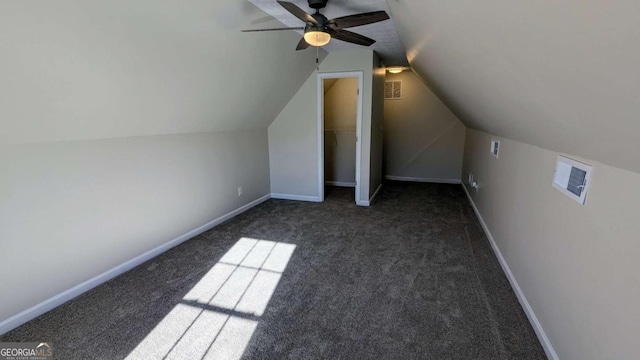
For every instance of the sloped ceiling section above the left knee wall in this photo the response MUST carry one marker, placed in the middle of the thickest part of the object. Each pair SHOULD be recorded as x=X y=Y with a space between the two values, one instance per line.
x=73 y=69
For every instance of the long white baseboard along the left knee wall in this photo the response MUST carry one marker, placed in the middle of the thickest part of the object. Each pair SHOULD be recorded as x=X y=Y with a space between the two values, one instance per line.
x=57 y=300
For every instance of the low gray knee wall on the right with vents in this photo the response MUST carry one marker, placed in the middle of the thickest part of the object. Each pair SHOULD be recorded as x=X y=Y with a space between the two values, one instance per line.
x=576 y=265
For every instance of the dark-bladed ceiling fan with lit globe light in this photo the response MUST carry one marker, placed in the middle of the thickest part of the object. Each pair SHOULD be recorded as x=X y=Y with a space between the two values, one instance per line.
x=318 y=30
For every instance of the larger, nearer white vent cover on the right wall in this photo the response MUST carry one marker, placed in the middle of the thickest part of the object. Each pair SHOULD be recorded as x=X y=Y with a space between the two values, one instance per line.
x=572 y=178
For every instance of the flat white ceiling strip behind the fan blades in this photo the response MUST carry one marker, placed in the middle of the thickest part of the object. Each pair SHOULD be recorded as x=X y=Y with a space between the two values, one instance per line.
x=387 y=45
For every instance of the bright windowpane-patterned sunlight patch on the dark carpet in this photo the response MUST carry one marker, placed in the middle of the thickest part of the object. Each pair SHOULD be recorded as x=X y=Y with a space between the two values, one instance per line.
x=218 y=316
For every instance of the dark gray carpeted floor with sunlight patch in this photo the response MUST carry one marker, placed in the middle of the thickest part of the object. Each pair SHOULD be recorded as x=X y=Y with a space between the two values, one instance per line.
x=412 y=276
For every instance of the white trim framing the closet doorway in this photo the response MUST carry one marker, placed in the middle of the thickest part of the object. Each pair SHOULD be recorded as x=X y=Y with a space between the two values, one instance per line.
x=337 y=75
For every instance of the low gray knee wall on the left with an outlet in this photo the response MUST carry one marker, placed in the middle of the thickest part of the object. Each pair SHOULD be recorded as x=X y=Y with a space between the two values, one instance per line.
x=73 y=210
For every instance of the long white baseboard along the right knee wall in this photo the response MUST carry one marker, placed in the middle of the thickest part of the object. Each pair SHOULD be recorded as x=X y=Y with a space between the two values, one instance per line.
x=533 y=319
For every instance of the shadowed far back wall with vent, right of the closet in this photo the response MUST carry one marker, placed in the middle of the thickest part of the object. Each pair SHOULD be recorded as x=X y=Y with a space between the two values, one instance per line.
x=423 y=139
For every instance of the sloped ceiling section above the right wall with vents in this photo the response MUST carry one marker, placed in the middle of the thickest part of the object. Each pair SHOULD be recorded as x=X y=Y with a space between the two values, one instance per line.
x=560 y=75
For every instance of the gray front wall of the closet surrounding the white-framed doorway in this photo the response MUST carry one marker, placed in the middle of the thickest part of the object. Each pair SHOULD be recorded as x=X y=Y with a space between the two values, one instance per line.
x=293 y=135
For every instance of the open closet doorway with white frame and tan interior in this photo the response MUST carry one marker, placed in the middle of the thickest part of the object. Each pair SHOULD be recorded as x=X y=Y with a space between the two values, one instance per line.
x=340 y=123
